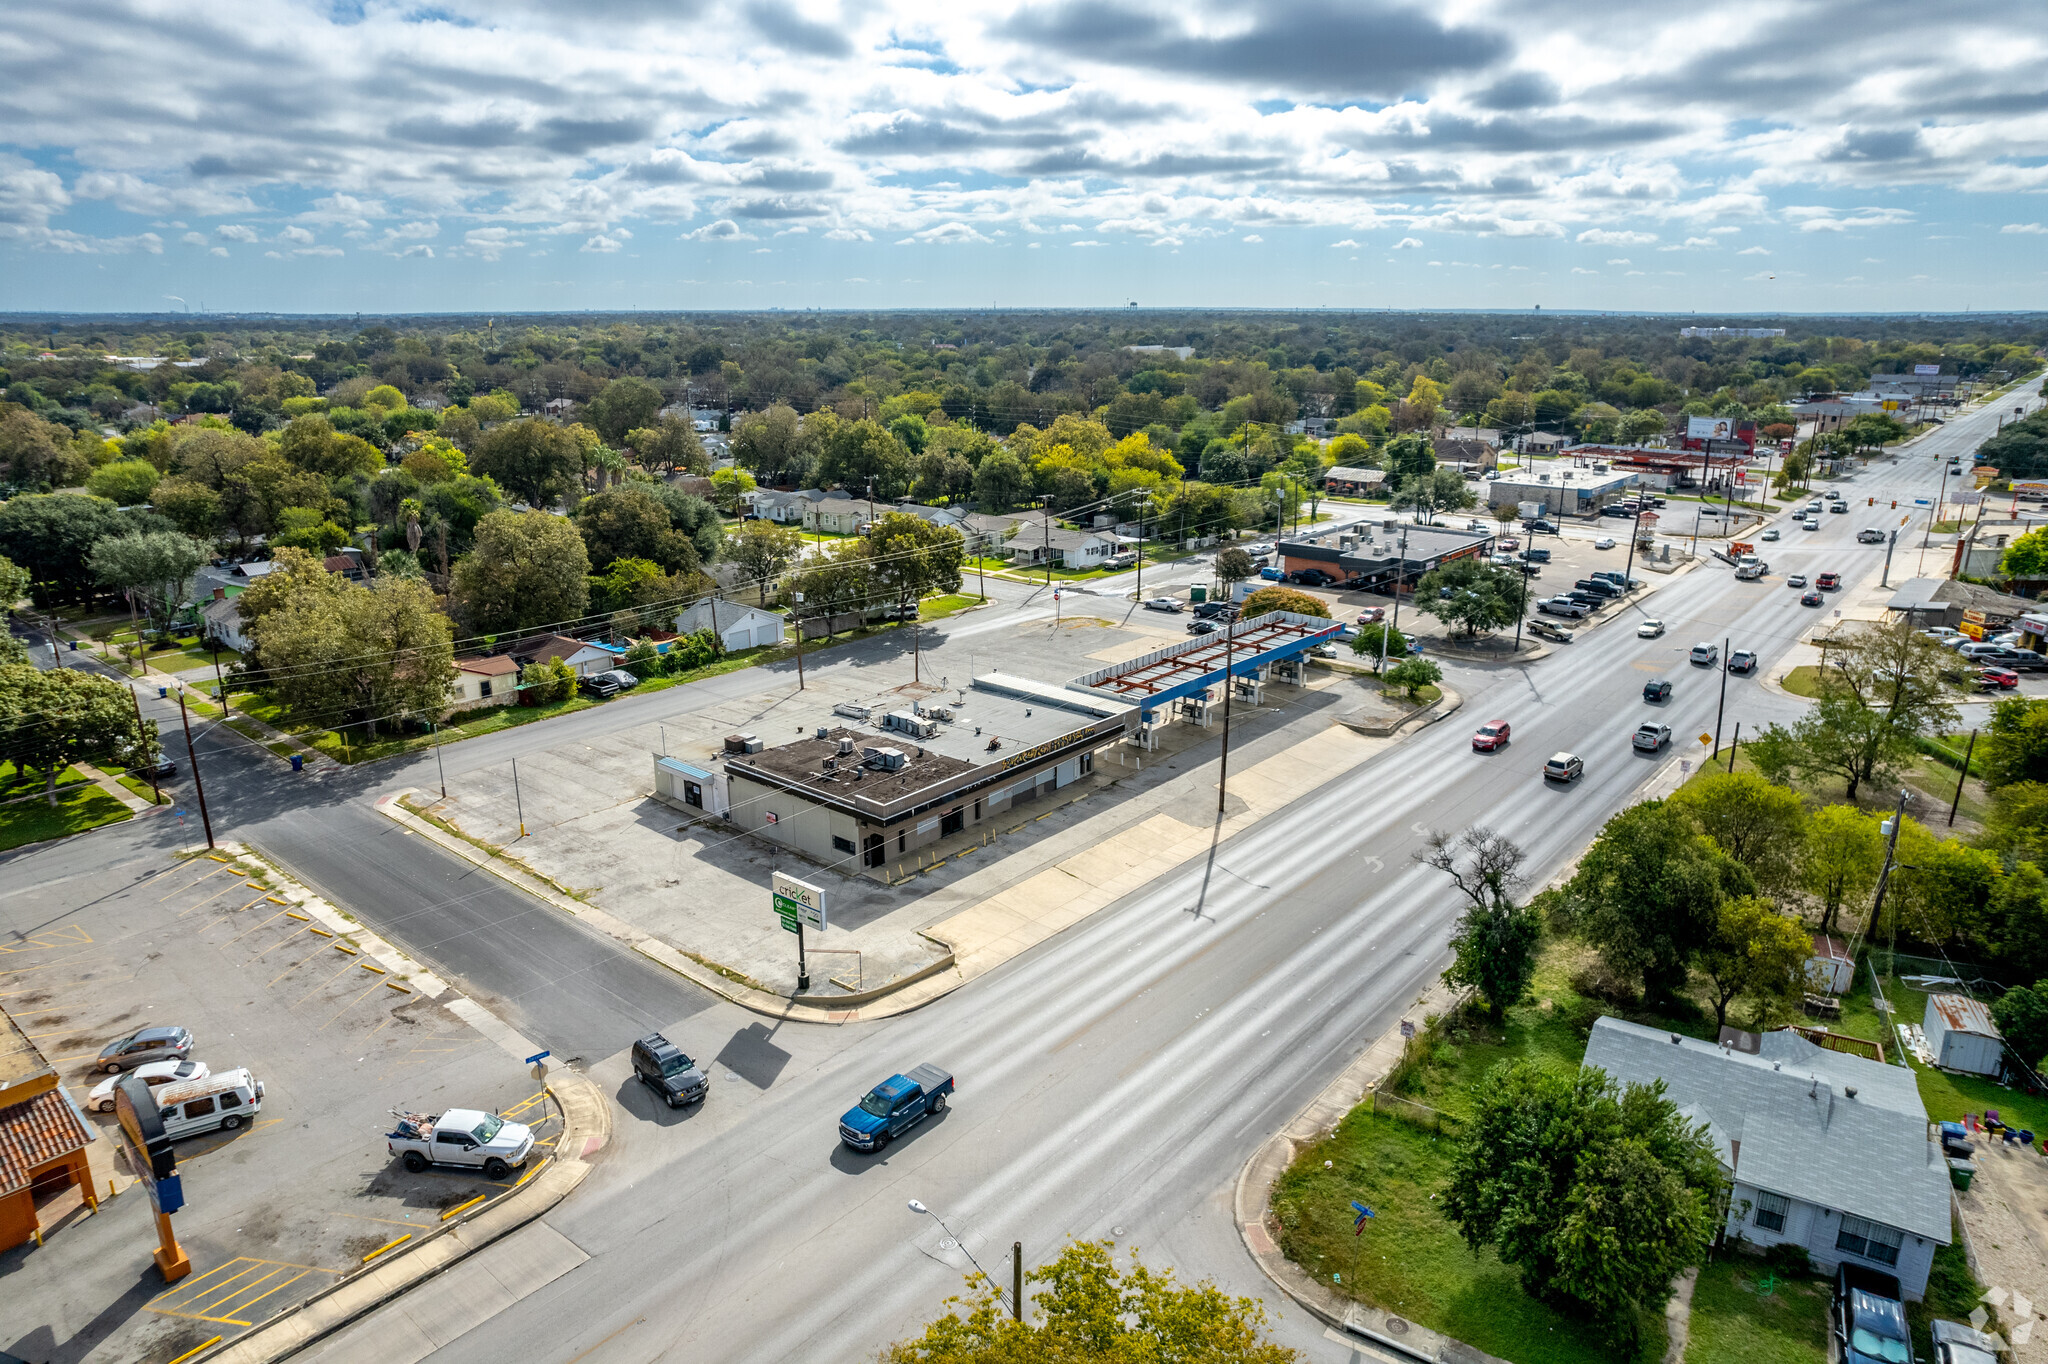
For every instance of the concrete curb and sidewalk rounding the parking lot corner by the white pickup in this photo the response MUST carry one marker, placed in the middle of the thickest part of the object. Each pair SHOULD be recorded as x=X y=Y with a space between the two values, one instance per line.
x=587 y=1127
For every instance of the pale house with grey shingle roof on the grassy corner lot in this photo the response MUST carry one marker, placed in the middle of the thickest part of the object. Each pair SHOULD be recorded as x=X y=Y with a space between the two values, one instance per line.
x=1828 y=1152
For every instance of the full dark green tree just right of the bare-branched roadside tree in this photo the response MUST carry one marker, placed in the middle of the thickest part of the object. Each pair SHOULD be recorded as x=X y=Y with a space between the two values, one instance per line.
x=1648 y=896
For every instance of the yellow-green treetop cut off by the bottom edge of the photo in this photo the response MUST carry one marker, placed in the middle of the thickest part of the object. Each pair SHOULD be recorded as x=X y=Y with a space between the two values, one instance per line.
x=1095 y=1314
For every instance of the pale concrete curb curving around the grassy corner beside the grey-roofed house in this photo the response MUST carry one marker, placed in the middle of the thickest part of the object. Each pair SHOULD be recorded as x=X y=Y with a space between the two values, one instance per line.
x=1252 y=1207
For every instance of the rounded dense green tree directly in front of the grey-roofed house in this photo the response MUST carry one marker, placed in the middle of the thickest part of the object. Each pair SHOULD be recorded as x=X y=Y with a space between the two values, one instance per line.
x=1590 y=1193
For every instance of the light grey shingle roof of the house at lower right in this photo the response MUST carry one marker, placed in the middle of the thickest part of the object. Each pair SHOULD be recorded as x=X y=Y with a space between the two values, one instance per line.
x=1795 y=1119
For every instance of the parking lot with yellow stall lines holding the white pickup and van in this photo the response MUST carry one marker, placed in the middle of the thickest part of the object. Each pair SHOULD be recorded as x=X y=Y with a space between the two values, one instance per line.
x=337 y=1025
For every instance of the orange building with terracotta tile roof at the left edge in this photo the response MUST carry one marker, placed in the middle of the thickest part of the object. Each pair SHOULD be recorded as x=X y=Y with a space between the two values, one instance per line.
x=44 y=1142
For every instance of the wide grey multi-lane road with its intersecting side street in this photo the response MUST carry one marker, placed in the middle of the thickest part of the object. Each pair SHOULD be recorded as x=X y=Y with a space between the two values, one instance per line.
x=1111 y=1082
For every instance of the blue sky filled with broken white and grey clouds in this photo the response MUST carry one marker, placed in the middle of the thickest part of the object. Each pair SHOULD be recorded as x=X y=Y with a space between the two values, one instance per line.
x=746 y=155
